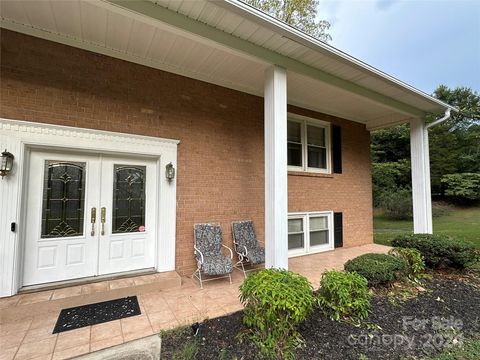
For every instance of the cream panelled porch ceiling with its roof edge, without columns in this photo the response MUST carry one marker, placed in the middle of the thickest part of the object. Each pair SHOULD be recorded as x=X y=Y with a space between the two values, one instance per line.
x=225 y=43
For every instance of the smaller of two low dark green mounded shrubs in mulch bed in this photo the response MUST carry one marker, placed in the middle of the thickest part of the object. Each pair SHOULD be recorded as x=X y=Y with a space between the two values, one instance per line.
x=378 y=269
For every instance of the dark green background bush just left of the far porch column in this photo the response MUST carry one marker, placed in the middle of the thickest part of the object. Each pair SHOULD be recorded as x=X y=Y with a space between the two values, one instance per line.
x=397 y=204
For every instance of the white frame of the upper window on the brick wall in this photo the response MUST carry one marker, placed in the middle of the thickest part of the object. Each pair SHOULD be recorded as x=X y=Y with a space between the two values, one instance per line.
x=305 y=121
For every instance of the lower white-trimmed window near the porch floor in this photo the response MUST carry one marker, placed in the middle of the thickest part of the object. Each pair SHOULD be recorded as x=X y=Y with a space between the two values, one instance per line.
x=310 y=232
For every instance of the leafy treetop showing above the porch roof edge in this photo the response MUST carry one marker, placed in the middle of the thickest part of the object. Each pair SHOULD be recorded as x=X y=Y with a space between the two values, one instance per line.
x=301 y=14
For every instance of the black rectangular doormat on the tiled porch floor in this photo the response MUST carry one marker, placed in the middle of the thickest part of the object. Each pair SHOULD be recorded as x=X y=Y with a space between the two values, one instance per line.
x=86 y=315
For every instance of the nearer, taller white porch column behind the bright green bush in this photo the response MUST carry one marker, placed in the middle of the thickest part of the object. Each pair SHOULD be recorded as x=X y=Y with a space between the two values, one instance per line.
x=276 y=191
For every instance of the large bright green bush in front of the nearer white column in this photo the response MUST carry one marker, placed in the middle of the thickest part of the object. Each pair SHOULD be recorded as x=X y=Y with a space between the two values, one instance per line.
x=276 y=302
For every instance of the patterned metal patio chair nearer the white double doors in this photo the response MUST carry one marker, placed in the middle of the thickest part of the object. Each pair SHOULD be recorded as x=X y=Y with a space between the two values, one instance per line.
x=208 y=251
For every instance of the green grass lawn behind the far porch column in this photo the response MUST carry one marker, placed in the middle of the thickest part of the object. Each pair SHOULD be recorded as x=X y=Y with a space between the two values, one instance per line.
x=462 y=223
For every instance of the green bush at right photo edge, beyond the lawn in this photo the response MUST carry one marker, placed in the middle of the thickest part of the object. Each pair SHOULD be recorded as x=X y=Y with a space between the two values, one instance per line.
x=465 y=186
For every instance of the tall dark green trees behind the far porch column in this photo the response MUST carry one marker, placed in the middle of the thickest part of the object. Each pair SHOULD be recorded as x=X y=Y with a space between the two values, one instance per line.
x=454 y=145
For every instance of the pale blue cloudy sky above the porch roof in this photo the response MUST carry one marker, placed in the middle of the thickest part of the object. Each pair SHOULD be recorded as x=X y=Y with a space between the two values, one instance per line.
x=424 y=43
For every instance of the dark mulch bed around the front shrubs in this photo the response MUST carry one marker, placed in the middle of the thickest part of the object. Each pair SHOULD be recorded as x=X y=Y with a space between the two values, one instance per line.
x=409 y=329
